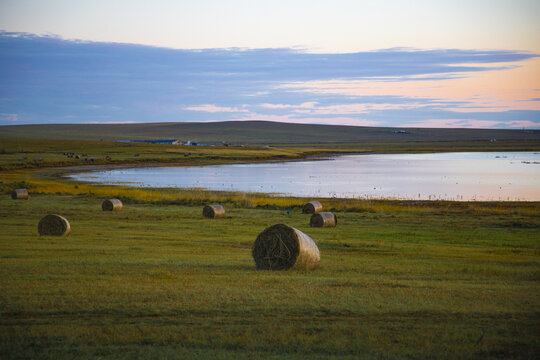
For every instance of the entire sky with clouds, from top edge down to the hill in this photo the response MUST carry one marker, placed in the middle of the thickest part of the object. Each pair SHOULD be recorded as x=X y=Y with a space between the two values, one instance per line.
x=367 y=63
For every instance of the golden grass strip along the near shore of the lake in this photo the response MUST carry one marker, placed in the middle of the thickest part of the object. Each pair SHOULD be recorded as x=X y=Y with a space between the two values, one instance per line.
x=38 y=185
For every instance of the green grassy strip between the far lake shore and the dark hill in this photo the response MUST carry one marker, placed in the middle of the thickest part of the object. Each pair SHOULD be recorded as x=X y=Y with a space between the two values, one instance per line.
x=21 y=153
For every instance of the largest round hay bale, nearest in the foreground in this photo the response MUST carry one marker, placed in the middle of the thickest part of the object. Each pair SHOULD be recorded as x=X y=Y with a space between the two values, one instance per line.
x=281 y=247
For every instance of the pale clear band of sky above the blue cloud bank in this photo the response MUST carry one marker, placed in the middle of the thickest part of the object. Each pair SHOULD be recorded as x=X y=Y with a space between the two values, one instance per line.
x=317 y=25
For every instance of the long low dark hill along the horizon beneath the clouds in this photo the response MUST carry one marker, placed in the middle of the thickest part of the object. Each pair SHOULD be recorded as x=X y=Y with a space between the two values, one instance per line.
x=261 y=132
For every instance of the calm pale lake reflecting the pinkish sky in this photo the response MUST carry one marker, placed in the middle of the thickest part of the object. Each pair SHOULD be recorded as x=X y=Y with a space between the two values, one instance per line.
x=449 y=176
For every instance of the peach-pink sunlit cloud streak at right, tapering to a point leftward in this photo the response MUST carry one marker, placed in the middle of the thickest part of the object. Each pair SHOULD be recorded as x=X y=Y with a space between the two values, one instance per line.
x=507 y=88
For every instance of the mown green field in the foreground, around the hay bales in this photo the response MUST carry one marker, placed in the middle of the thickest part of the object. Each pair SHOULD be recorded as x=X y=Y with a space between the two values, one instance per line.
x=160 y=281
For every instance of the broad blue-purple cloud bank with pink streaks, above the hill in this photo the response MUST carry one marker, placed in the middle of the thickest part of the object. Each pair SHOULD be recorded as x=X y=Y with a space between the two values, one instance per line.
x=48 y=79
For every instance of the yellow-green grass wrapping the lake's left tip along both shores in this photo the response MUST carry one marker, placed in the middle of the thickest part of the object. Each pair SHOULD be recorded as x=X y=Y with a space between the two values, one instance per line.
x=40 y=178
